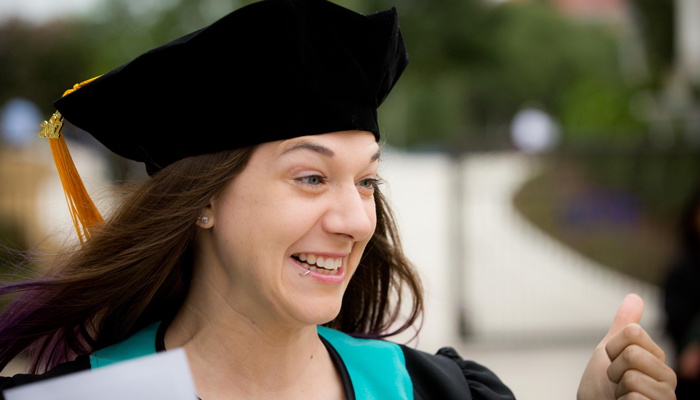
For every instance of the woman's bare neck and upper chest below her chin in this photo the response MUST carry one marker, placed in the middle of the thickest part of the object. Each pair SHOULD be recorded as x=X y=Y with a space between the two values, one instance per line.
x=235 y=355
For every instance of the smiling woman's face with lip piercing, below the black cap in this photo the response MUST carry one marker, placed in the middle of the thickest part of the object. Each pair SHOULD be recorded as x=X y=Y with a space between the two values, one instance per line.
x=288 y=233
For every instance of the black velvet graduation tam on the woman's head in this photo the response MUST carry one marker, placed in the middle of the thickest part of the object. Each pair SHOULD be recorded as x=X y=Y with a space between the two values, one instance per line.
x=273 y=70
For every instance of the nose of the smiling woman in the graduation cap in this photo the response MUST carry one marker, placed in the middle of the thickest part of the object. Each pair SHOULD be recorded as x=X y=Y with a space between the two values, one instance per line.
x=350 y=214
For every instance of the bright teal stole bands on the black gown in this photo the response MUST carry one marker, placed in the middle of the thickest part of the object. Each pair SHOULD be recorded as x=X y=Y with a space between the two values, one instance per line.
x=377 y=368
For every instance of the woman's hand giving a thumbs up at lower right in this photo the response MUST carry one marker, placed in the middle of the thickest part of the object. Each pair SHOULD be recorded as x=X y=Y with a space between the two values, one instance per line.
x=627 y=364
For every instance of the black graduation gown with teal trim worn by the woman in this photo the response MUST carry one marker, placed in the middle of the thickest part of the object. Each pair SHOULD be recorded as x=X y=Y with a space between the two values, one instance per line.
x=369 y=369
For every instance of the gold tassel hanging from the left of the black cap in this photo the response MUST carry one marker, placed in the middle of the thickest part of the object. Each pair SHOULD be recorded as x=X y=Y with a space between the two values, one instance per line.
x=82 y=210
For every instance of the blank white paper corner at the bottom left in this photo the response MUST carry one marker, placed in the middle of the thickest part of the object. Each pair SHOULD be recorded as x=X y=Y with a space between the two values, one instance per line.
x=162 y=376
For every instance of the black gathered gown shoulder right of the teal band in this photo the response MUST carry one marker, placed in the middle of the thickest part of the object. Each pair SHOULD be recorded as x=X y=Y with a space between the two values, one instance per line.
x=446 y=375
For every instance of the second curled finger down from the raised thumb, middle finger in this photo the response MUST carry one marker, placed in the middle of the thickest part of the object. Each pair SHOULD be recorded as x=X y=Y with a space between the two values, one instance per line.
x=637 y=358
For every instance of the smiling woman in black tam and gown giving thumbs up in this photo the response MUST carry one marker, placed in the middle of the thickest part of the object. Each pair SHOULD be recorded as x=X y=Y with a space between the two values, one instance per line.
x=261 y=222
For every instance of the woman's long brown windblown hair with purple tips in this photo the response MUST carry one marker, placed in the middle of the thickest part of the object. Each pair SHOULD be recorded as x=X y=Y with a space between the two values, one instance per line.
x=137 y=266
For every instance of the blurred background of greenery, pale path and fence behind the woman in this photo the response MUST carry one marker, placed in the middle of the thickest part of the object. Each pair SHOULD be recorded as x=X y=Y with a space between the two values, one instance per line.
x=540 y=157
